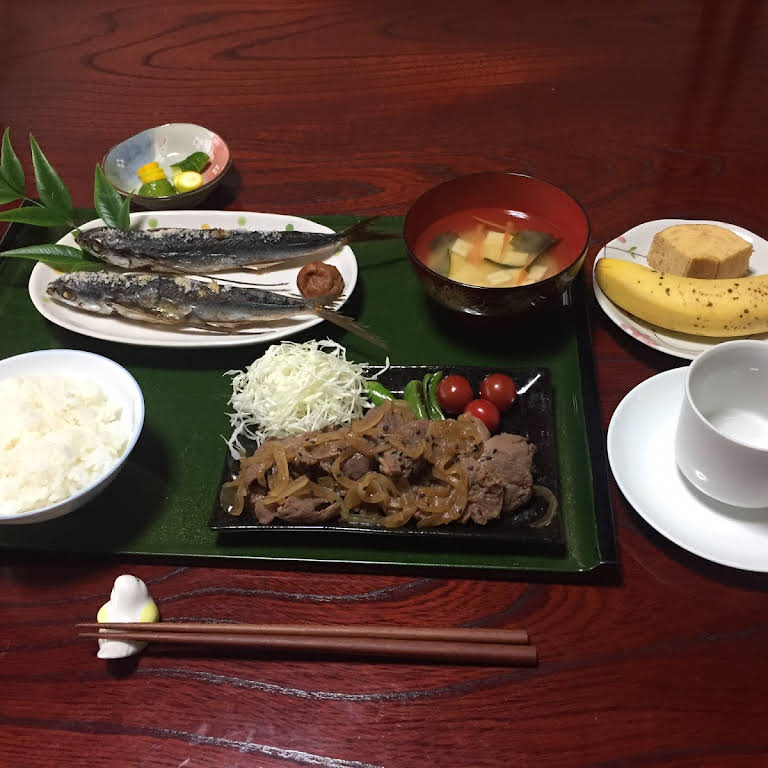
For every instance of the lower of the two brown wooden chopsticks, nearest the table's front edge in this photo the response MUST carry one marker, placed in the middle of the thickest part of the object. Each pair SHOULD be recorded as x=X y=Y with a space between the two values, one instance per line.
x=423 y=650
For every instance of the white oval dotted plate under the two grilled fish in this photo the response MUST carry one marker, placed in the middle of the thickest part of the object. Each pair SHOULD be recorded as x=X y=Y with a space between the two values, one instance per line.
x=115 y=328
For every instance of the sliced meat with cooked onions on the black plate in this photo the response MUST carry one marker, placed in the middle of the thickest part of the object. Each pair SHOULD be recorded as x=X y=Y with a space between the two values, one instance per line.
x=389 y=469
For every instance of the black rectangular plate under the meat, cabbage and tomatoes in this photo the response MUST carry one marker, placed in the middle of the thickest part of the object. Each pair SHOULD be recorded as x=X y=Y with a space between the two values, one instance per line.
x=531 y=415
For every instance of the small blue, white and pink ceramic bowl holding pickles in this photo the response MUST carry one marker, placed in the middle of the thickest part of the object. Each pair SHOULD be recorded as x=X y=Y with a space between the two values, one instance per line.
x=167 y=144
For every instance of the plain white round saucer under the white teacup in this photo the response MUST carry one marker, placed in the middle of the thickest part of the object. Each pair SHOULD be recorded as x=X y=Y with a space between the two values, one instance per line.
x=641 y=439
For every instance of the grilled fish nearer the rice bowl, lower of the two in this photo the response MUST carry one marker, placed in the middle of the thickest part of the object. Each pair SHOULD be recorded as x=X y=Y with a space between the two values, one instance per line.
x=185 y=302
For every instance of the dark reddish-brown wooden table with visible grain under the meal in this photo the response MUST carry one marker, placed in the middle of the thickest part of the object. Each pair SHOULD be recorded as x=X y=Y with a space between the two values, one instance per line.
x=641 y=110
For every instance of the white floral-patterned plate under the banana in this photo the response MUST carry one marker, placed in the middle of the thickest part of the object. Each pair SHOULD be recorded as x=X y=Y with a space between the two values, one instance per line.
x=634 y=246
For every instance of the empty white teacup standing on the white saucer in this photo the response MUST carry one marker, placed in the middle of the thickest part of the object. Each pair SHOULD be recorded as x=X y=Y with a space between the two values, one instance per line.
x=722 y=436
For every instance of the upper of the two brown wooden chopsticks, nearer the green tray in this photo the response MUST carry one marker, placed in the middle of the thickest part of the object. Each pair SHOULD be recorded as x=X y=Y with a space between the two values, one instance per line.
x=444 y=634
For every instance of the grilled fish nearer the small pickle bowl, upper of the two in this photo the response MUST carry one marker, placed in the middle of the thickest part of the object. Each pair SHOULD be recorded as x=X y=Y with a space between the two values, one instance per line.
x=205 y=251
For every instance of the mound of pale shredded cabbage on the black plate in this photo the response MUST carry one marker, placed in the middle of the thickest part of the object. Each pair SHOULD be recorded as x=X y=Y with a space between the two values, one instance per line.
x=295 y=388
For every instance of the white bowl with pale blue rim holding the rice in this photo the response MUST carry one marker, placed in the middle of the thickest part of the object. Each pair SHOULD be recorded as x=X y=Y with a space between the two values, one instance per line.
x=118 y=386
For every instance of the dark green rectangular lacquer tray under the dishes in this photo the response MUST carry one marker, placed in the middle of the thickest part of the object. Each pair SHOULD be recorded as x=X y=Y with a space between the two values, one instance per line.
x=160 y=504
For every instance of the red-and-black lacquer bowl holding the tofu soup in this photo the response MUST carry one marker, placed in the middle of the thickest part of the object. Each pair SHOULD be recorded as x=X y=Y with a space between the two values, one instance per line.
x=548 y=207
